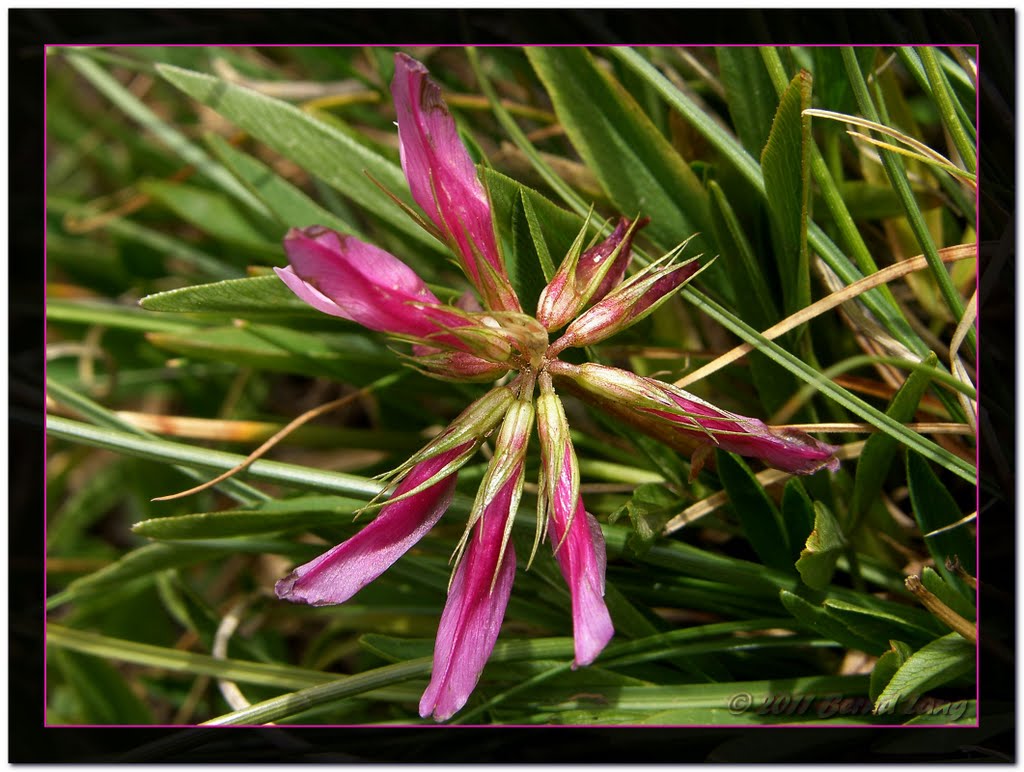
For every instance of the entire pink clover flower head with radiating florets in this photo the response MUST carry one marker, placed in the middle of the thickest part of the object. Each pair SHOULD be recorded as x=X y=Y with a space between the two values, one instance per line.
x=590 y=297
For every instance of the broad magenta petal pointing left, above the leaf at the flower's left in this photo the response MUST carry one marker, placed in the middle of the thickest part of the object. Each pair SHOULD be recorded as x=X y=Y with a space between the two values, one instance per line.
x=348 y=278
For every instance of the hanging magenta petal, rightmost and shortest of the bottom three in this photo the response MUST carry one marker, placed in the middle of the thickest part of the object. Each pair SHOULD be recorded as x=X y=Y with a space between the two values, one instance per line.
x=582 y=559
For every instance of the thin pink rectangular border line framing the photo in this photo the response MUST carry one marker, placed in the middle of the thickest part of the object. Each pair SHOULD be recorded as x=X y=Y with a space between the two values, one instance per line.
x=977 y=224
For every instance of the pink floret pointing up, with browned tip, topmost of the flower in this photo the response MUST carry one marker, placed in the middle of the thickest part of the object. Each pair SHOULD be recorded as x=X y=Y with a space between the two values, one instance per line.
x=443 y=180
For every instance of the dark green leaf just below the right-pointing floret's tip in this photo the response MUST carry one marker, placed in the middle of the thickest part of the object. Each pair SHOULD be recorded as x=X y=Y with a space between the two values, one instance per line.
x=758 y=517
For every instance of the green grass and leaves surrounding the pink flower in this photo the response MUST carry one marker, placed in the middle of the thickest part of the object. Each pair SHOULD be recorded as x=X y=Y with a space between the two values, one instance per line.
x=175 y=353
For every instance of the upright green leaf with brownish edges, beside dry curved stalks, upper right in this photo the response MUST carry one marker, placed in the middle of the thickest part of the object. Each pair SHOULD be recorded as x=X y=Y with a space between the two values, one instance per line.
x=786 y=163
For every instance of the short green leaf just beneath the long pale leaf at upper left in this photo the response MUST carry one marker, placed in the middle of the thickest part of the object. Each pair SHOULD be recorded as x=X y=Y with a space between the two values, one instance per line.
x=290 y=206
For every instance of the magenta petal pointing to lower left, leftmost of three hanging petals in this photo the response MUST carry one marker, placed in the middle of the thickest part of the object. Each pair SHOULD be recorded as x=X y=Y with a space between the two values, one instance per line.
x=339 y=574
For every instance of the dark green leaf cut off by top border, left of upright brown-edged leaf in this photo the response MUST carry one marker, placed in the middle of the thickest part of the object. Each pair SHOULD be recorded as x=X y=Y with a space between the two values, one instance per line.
x=750 y=94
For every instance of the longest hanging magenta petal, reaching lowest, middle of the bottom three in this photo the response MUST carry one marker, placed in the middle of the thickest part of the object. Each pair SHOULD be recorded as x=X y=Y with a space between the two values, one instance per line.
x=474 y=613
